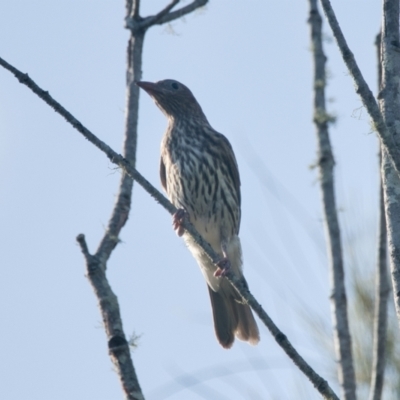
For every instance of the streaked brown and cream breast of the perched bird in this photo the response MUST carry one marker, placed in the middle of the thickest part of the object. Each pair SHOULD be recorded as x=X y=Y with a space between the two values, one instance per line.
x=197 y=181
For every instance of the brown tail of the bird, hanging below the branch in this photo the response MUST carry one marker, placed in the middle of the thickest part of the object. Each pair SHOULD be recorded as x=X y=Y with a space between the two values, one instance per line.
x=232 y=318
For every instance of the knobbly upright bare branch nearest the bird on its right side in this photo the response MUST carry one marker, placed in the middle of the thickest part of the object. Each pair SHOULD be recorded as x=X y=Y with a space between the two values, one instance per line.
x=342 y=338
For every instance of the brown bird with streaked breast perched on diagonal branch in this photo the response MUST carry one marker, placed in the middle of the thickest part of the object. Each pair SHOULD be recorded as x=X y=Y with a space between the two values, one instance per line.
x=199 y=172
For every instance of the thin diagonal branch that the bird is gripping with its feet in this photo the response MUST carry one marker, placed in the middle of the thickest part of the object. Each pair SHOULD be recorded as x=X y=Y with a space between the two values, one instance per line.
x=319 y=383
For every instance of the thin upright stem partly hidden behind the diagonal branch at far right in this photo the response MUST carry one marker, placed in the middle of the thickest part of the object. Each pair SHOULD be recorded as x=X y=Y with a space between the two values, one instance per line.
x=382 y=283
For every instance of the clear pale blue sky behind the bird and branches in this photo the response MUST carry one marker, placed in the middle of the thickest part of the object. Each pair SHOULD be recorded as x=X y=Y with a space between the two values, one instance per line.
x=250 y=67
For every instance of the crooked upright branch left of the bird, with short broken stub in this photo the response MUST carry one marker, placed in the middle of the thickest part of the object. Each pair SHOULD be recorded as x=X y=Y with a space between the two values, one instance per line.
x=96 y=265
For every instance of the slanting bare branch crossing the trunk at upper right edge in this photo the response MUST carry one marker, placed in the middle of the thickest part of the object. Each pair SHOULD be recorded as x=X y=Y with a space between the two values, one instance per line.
x=385 y=131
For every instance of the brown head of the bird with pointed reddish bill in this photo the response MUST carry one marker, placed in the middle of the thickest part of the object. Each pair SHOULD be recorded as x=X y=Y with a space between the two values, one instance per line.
x=174 y=99
